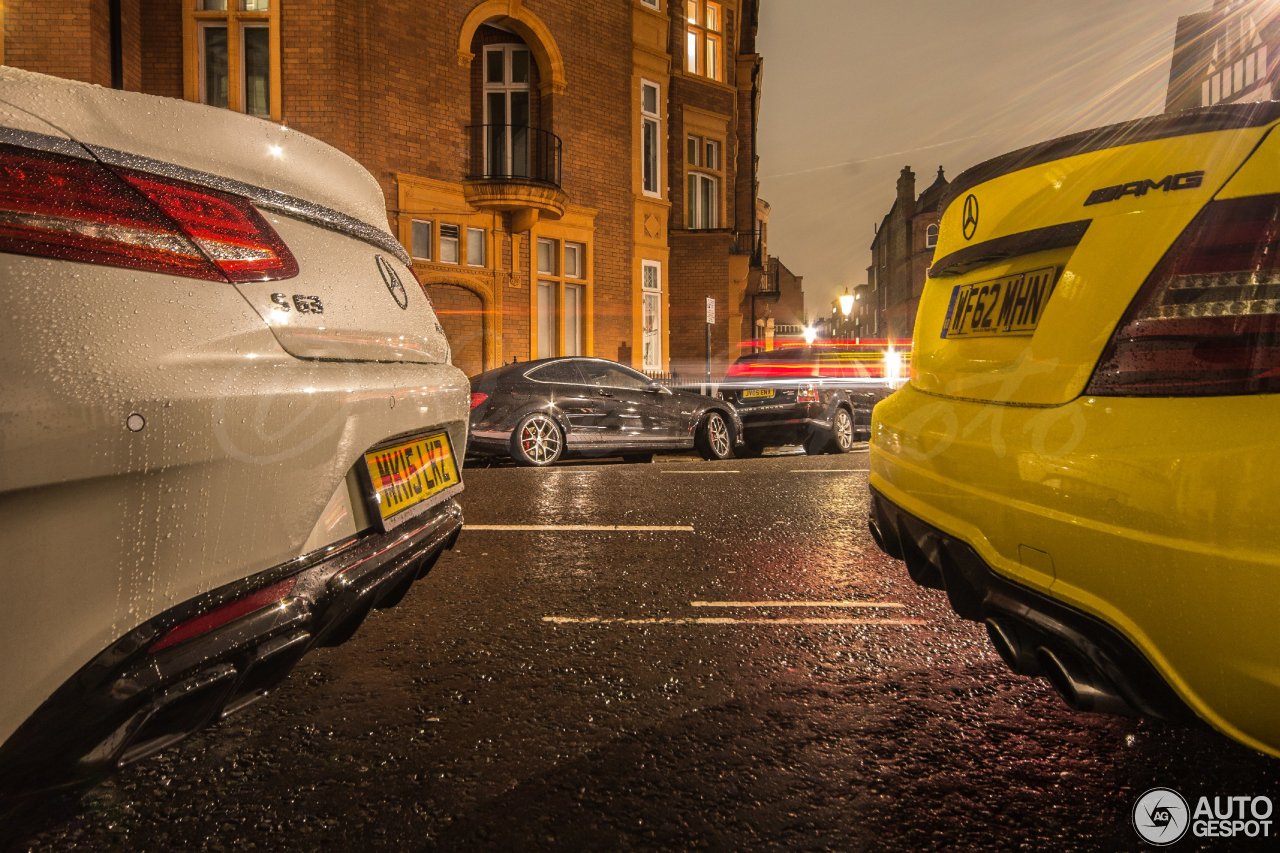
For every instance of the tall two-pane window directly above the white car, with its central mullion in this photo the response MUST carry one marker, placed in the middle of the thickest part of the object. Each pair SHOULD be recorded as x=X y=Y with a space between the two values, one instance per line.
x=232 y=51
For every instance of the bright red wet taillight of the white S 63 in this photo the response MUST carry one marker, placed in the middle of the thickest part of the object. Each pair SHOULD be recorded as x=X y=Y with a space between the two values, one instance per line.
x=79 y=211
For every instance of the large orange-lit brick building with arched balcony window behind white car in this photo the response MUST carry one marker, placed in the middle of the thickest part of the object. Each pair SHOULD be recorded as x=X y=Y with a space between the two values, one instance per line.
x=570 y=179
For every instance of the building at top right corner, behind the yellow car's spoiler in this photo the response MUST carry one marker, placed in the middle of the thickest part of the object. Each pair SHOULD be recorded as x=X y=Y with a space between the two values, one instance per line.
x=1226 y=56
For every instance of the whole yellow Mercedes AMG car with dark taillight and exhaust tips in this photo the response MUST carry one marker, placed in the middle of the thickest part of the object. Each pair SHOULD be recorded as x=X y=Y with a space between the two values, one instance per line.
x=1085 y=455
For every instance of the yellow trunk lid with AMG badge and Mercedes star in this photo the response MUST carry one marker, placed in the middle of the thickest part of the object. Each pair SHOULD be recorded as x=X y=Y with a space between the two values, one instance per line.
x=1043 y=250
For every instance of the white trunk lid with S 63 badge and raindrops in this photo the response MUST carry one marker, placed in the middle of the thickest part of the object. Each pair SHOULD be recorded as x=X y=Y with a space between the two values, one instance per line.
x=355 y=298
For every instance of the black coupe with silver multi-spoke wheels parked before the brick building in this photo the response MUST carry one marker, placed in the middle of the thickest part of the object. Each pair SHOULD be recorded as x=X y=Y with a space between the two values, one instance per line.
x=541 y=412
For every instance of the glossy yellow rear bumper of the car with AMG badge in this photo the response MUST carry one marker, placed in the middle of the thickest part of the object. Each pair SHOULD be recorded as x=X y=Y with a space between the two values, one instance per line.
x=1155 y=518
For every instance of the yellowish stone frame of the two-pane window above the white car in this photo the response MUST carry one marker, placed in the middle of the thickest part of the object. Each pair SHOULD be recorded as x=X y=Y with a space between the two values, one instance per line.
x=236 y=20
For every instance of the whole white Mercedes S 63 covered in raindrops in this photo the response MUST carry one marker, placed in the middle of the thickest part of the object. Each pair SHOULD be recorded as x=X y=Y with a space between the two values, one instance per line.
x=228 y=414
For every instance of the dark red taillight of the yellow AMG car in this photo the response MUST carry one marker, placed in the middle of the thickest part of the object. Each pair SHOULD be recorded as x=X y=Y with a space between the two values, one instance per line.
x=1208 y=320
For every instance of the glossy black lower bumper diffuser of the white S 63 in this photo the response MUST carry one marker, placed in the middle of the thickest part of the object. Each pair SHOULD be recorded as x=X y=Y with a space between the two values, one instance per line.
x=129 y=703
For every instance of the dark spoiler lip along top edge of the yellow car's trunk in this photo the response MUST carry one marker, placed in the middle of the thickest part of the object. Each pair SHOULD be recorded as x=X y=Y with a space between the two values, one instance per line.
x=1208 y=120
